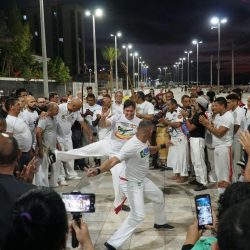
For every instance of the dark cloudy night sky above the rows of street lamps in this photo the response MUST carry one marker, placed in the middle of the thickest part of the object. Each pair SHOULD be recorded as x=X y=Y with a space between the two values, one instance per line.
x=161 y=30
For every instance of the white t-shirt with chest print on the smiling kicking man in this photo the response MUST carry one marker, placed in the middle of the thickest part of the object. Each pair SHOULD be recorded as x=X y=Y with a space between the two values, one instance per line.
x=122 y=130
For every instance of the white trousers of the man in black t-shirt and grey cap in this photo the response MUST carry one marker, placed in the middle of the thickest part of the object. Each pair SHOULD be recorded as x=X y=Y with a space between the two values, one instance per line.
x=197 y=148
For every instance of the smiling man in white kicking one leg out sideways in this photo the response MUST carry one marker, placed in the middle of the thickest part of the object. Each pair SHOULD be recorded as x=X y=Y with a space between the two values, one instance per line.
x=123 y=127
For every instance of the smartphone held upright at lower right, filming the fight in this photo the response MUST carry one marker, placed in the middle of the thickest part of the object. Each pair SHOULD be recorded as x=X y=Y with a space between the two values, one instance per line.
x=203 y=210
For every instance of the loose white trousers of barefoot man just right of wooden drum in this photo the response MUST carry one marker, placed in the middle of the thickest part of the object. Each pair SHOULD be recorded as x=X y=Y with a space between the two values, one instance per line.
x=178 y=157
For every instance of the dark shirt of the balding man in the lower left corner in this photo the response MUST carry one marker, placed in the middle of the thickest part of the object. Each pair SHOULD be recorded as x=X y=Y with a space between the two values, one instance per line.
x=10 y=190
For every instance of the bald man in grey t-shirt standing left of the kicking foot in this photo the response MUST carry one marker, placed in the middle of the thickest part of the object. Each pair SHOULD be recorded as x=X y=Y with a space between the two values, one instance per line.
x=46 y=134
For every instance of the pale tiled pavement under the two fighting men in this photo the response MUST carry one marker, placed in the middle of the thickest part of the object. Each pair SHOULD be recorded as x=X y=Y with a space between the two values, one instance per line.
x=179 y=208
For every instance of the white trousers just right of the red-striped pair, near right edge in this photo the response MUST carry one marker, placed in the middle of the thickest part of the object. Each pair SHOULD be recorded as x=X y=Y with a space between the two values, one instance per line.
x=237 y=156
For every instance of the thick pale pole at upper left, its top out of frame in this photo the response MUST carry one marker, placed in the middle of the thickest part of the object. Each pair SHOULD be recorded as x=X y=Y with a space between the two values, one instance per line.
x=44 y=52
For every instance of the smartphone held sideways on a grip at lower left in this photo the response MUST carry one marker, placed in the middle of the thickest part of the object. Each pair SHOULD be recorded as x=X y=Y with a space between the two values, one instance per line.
x=79 y=203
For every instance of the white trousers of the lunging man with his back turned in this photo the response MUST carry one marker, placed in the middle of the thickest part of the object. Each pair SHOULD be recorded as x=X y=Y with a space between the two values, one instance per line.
x=135 y=193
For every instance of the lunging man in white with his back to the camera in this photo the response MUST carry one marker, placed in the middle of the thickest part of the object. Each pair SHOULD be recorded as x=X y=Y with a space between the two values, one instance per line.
x=135 y=153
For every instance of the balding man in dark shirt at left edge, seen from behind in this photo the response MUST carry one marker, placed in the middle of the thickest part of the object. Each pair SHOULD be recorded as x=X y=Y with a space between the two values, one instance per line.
x=11 y=188
